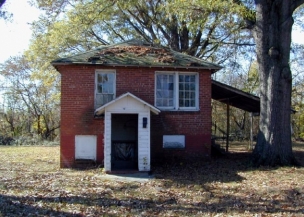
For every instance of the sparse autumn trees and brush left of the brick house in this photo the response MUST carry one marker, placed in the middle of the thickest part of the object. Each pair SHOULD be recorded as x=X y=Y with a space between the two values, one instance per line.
x=29 y=99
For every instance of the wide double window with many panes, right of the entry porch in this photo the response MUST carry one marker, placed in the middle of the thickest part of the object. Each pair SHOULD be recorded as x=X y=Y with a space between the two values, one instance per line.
x=176 y=91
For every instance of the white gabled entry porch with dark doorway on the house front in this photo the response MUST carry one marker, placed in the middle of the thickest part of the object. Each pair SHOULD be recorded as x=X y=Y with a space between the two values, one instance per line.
x=124 y=115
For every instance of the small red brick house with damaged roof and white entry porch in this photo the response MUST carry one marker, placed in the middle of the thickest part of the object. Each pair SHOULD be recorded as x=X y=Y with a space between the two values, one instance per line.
x=131 y=104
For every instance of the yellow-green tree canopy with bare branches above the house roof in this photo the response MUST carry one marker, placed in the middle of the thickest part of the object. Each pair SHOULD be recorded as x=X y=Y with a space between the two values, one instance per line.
x=211 y=31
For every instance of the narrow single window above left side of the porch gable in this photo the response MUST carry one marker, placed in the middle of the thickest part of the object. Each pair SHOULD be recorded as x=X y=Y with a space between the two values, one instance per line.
x=104 y=87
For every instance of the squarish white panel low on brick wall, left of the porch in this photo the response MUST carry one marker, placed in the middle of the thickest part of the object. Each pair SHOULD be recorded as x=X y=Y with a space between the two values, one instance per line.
x=85 y=147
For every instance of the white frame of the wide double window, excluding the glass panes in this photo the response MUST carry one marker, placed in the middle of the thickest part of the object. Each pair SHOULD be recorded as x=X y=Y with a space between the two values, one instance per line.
x=176 y=106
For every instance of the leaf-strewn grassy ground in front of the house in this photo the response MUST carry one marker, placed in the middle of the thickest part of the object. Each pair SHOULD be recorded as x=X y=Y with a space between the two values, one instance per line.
x=31 y=184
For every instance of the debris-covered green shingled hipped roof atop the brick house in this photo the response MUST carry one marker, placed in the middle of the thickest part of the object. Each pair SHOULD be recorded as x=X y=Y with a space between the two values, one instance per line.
x=137 y=53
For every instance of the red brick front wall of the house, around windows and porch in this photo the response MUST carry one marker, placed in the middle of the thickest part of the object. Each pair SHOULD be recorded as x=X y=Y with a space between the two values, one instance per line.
x=77 y=109
